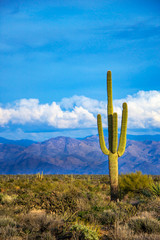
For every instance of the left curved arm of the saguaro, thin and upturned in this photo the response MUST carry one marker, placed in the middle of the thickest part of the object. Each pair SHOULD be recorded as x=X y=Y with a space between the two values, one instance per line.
x=101 y=135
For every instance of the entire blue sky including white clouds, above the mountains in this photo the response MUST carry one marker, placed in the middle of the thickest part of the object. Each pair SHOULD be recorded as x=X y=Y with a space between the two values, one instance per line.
x=54 y=56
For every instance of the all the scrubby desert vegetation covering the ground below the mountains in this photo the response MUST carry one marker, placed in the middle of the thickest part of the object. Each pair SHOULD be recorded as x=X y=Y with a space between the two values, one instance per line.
x=79 y=207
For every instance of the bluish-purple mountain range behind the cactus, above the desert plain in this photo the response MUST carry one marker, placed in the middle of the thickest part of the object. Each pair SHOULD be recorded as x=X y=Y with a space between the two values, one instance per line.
x=64 y=155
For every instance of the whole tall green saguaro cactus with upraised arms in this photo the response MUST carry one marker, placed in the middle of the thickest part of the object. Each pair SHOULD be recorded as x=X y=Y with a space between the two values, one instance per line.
x=112 y=152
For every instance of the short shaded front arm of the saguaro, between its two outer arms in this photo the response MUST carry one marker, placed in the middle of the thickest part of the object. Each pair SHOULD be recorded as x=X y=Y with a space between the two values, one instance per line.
x=115 y=133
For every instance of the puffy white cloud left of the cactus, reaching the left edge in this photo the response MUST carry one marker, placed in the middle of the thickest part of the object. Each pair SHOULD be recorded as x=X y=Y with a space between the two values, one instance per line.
x=31 y=111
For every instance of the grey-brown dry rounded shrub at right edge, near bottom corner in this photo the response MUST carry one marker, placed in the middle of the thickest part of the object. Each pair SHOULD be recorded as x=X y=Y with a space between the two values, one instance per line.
x=143 y=224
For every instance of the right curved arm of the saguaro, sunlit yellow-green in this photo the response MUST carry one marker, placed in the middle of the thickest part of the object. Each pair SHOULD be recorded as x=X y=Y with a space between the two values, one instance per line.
x=122 y=141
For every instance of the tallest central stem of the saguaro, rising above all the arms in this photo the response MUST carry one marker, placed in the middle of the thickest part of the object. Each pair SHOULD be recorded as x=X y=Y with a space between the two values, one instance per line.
x=110 y=109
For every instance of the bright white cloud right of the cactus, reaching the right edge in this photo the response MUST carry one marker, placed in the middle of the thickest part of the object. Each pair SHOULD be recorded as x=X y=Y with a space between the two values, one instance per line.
x=143 y=109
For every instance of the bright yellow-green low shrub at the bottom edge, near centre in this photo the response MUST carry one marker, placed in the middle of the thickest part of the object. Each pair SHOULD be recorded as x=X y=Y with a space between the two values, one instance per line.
x=83 y=232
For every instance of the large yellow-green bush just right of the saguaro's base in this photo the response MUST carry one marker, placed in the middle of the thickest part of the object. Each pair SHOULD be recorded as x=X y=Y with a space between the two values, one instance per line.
x=134 y=182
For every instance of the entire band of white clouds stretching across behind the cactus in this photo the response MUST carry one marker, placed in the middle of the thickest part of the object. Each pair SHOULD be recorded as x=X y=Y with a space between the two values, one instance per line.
x=80 y=112
